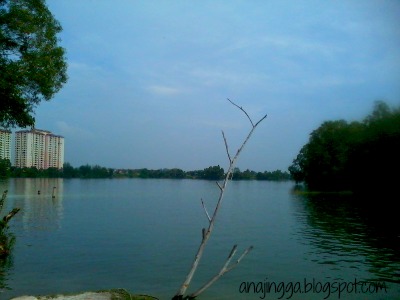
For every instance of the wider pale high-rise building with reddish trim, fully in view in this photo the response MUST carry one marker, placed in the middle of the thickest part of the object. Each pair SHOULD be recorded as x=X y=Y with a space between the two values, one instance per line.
x=38 y=148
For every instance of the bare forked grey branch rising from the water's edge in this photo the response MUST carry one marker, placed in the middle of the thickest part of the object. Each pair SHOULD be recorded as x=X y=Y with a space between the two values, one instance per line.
x=206 y=233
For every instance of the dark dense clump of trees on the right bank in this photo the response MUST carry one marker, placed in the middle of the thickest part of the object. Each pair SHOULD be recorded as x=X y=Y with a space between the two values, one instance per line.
x=359 y=156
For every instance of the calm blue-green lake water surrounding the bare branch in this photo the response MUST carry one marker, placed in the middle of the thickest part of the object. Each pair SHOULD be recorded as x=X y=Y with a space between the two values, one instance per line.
x=142 y=234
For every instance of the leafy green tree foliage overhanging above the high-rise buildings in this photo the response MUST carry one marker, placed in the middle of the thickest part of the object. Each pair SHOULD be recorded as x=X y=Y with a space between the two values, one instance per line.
x=32 y=64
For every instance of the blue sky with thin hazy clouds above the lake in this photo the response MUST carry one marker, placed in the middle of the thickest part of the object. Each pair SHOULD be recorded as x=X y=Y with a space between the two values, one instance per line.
x=148 y=80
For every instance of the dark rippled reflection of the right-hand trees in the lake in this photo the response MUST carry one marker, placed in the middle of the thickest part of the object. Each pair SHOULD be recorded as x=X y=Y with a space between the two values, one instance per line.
x=352 y=232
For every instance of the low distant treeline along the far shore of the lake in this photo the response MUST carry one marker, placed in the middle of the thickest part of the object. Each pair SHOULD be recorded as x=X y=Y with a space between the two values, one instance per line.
x=96 y=171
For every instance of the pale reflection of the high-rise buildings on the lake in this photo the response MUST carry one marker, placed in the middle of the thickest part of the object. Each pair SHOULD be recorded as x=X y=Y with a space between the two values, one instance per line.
x=40 y=200
